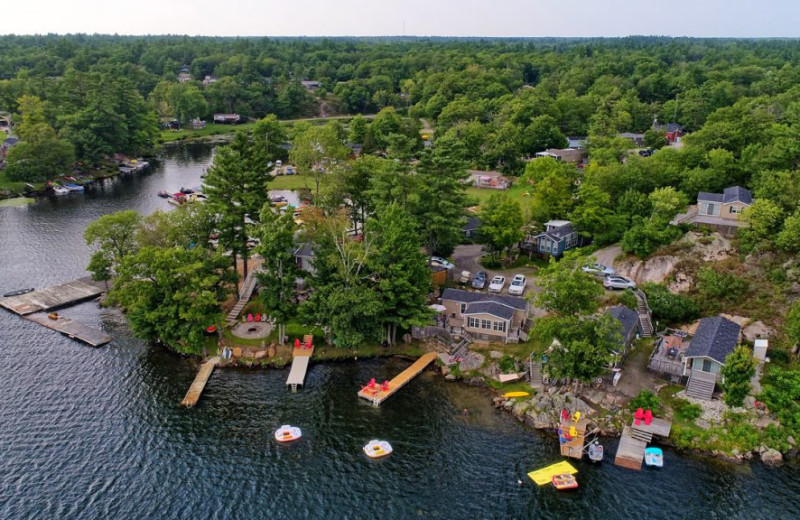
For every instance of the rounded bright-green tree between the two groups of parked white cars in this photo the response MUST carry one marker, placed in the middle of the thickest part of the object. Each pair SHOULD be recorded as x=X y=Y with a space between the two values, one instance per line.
x=566 y=289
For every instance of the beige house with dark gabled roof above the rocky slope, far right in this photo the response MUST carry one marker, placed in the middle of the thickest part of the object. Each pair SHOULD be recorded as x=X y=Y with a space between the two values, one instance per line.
x=718 y=210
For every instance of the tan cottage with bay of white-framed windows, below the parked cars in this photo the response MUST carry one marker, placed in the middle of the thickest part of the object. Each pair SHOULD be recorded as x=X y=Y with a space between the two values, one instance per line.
x=485 y=317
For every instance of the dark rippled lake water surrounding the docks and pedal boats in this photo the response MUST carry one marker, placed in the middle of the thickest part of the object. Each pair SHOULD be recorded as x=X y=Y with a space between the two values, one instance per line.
x=99 y=433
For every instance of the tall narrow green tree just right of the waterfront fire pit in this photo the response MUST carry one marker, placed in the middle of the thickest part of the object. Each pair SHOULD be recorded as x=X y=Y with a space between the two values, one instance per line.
x=279 y=273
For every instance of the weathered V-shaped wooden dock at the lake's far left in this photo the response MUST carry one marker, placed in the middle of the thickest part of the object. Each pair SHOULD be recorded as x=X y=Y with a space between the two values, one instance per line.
x=34 y=306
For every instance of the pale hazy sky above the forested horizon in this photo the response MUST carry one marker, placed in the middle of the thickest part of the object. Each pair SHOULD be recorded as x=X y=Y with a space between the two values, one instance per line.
x=529 y=18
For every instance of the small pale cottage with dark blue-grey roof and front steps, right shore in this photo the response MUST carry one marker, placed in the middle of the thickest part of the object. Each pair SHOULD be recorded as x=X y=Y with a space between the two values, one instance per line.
x=714 y=339
